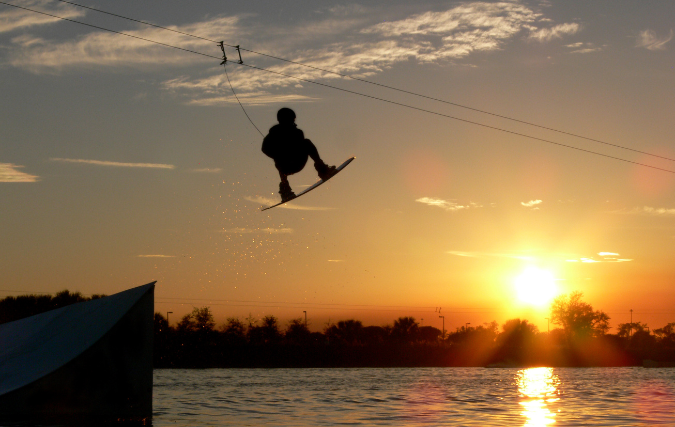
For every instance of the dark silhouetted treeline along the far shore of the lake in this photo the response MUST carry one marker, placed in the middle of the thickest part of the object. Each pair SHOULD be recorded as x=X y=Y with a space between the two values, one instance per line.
x=581 y=338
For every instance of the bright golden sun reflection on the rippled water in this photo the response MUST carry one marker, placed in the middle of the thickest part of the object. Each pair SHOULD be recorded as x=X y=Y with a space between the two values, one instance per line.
x=537 y=387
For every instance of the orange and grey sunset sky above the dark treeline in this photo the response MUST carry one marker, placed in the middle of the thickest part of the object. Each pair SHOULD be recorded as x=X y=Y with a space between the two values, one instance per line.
x=123 y=162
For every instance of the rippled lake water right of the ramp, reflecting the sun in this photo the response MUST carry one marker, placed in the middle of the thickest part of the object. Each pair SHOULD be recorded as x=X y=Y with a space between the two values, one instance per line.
x=415 y=397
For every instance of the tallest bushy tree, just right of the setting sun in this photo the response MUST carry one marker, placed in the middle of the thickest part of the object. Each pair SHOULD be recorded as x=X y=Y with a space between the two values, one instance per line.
x=577 y=318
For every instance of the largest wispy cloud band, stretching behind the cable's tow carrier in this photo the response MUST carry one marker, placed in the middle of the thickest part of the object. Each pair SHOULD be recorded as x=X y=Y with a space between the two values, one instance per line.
x=365 y=46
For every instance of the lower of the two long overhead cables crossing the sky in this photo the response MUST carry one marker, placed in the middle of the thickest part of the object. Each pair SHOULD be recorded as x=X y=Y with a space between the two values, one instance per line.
x=350 y=91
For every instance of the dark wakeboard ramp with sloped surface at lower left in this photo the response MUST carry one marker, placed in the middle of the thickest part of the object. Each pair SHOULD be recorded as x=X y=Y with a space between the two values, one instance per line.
x=88 y=360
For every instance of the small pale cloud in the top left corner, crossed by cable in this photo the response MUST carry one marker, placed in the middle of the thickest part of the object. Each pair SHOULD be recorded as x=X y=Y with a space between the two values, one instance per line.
x=12 y=19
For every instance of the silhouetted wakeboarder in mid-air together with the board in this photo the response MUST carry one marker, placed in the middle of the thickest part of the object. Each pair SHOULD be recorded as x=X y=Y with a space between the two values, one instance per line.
x=290 y=150
